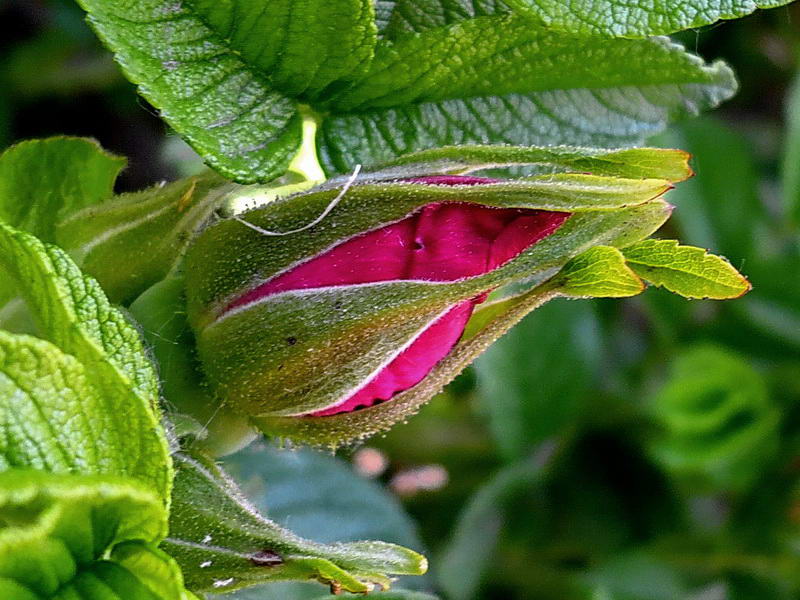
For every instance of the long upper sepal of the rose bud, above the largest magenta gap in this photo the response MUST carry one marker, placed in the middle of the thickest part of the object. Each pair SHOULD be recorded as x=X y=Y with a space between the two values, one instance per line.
x=229 y=257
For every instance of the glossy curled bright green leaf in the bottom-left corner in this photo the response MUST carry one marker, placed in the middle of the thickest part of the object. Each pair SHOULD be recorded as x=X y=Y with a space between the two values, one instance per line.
x=82 y=538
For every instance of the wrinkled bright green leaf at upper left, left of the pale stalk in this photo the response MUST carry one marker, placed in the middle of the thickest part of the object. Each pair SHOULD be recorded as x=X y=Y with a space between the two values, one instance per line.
x=224 y=74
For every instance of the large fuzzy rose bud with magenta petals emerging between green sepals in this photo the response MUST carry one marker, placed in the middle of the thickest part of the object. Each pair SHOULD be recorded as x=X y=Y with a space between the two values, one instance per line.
x=330 y=315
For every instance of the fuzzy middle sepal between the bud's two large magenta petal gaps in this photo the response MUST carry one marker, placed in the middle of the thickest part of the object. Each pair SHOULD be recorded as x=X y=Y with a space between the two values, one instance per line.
x=264 y=359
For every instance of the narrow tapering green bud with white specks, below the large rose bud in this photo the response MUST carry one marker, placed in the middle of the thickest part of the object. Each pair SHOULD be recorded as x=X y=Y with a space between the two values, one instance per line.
x=223 y=544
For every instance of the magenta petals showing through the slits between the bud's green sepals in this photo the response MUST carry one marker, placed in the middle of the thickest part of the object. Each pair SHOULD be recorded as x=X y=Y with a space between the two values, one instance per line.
x=440 y=242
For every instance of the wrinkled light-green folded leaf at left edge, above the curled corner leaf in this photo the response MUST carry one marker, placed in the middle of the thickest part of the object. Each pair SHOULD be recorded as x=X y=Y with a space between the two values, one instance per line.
x=94 y=364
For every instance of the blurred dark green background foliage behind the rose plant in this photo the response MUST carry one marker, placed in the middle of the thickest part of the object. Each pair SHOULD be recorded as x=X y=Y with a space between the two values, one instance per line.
x=644 y=449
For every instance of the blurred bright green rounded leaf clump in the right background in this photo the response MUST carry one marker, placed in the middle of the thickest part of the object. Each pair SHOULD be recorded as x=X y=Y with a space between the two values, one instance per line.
x=719 y=423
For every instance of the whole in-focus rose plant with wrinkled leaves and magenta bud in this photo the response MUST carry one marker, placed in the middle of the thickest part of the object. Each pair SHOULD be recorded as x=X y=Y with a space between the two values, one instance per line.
x=366 y=231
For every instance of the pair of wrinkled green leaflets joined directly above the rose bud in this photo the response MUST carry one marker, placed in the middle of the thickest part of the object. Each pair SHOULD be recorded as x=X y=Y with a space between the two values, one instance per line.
x=234 y=78
